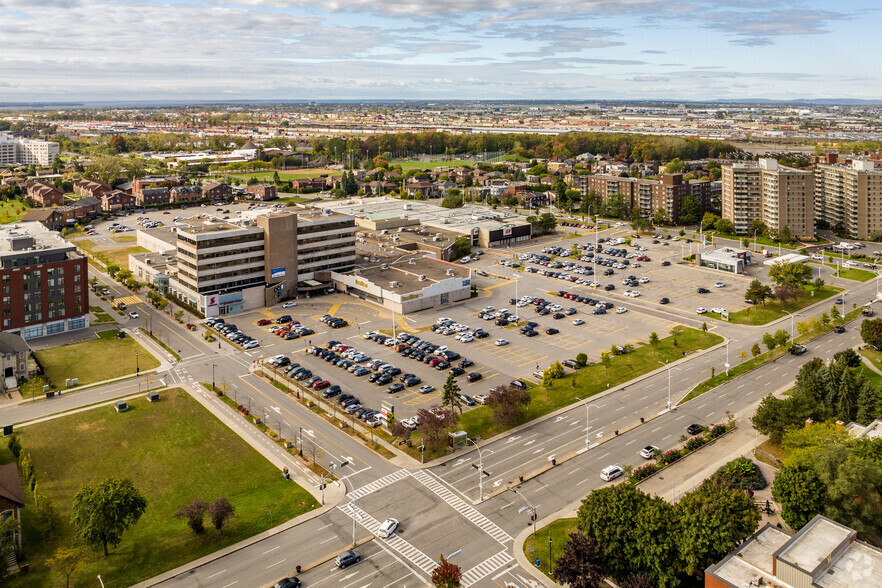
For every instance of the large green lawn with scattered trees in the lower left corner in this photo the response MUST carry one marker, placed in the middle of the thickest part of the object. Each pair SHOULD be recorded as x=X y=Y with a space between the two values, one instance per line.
x=174 y=451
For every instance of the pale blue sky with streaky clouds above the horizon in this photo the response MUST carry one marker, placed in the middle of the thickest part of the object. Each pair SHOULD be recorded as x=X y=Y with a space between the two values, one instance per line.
x=100 y=50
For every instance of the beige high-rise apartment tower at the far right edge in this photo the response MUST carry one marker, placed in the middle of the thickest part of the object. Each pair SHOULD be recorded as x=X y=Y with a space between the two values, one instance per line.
x=848 y=194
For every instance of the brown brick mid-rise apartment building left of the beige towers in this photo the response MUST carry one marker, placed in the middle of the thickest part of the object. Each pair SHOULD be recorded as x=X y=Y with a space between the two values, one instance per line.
x=647 y=195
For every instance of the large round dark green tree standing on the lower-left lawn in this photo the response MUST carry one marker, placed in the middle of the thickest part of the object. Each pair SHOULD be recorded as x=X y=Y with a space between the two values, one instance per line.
x=102 y=511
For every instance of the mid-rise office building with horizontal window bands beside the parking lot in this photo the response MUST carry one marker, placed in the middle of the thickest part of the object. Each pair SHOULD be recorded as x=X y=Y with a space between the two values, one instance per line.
x=268 y=255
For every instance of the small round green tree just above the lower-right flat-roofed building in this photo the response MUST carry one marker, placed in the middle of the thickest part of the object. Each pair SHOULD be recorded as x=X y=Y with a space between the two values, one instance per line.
x=800 y=492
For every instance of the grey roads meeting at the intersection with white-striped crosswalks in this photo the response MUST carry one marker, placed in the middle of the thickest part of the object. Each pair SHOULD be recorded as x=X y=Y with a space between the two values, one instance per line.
x=438 y=506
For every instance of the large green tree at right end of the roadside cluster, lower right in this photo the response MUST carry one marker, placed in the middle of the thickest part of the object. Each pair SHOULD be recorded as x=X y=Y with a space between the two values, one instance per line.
x=713 y=520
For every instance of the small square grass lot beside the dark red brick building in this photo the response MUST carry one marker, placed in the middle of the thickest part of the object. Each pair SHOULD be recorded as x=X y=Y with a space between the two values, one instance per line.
x=88 y=360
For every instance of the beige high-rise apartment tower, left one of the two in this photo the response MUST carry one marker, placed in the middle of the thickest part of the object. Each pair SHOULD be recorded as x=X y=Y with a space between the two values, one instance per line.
x=771 y=193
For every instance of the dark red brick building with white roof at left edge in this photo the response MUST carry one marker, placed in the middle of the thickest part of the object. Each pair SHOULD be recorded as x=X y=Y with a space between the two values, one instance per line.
x=43 y=281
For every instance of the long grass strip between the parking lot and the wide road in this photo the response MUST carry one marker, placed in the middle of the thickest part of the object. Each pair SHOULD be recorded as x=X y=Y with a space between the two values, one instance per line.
x=592 y=380
